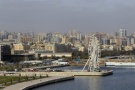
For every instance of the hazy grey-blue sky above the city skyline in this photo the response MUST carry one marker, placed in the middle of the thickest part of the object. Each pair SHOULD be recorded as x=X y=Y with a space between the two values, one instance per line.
x=64 y=15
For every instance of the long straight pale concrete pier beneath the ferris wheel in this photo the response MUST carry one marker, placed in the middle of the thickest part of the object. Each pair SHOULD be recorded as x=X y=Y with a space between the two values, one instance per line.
x=67 y=73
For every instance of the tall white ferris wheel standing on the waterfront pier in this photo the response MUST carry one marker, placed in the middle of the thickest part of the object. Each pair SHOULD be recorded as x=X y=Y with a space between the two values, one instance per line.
x=94 y=54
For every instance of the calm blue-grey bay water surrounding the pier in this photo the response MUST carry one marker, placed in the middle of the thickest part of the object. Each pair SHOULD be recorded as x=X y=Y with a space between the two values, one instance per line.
x=122 y=79
